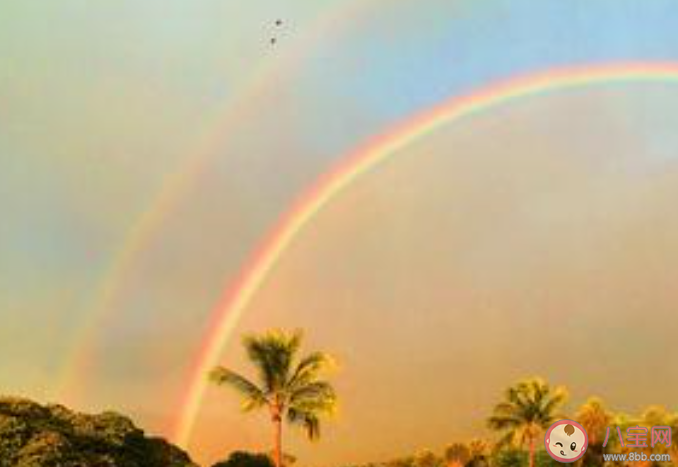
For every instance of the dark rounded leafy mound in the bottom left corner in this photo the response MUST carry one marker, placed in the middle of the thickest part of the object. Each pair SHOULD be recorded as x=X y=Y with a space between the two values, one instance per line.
x=33 y=435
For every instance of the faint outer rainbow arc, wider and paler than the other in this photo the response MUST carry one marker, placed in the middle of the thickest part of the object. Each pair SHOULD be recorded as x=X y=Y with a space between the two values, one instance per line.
x=174 y=187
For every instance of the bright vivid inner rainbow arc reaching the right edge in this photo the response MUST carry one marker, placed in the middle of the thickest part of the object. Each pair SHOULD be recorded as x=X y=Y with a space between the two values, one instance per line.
x=364 y=159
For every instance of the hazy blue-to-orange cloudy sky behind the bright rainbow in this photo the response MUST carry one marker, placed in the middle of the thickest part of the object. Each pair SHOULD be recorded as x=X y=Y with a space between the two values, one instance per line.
x=148 y=147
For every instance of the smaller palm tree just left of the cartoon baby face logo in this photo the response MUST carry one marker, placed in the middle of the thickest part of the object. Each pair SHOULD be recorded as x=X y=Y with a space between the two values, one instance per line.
x=529 y=408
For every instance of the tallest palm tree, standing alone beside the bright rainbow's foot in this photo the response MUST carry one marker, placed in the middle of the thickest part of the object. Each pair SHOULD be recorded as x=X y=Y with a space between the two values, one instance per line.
x=289 y=386
